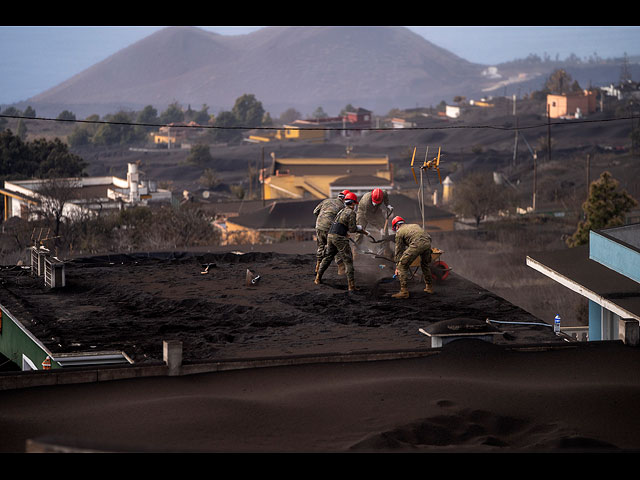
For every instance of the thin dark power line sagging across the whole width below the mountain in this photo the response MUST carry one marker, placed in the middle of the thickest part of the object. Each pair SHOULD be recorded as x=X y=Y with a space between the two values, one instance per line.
x=376 y=129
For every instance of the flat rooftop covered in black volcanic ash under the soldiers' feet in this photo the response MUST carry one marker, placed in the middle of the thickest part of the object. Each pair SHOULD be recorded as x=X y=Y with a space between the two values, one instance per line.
x=132 y=303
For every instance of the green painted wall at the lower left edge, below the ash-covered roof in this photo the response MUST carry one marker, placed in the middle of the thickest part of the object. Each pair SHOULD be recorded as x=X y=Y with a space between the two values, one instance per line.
x=14 y=342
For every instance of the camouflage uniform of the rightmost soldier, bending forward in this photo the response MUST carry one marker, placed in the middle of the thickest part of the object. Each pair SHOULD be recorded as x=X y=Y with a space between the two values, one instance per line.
x=413 y=242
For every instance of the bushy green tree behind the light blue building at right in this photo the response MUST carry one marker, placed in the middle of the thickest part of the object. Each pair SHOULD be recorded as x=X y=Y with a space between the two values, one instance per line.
x=605 y=207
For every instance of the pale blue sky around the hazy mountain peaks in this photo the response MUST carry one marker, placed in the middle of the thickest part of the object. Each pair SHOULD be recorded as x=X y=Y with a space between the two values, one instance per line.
x=36 y=58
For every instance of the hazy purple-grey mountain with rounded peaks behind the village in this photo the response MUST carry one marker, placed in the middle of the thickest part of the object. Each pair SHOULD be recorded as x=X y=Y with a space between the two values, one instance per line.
x=378 y=68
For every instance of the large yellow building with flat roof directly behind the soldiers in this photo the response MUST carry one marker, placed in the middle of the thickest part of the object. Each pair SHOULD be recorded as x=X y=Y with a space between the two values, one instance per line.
x=303 y=178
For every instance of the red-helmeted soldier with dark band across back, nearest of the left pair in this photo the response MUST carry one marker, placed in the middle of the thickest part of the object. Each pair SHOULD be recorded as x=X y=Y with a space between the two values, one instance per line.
x=338 y=240
